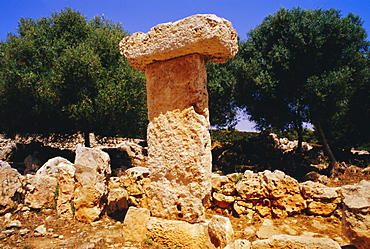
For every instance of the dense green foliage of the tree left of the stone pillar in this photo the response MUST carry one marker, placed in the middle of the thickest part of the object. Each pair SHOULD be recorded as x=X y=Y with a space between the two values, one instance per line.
x=63 y=74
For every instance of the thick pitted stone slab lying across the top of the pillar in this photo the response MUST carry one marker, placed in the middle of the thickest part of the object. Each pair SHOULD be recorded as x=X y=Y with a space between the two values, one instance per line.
x=205 y=34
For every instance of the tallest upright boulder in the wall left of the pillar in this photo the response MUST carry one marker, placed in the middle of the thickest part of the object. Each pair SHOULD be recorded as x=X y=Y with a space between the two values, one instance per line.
x=92 y=176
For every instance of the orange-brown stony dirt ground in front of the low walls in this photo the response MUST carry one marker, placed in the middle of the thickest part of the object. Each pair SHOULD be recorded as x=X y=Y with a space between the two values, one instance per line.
x=44 y=229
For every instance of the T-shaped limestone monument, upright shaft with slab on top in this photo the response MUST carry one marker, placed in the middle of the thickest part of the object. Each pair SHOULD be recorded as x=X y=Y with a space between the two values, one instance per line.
x=173 y=57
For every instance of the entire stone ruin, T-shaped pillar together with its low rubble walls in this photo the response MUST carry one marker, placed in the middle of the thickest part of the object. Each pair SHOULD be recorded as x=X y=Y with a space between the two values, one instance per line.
x=167 y=200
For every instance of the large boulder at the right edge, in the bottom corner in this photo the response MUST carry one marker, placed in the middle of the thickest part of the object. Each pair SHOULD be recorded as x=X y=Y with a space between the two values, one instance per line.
x=356 y=213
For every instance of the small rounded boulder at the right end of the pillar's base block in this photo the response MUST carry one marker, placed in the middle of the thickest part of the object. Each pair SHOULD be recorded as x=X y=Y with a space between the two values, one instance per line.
x=220 y=231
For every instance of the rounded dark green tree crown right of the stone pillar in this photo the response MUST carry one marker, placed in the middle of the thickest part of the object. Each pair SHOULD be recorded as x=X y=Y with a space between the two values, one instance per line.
x=301 y=66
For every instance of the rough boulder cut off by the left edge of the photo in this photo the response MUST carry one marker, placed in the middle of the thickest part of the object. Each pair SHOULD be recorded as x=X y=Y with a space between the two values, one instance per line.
x=10 y=187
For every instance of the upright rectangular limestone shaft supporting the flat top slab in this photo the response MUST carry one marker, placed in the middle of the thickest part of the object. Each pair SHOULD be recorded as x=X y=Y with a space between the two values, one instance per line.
x=179 y=144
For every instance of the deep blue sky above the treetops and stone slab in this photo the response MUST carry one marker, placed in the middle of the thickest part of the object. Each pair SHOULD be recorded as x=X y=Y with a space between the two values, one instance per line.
x=141 y=15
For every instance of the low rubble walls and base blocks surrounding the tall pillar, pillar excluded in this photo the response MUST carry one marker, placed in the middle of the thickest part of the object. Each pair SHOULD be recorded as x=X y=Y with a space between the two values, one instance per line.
x=254 y=196
